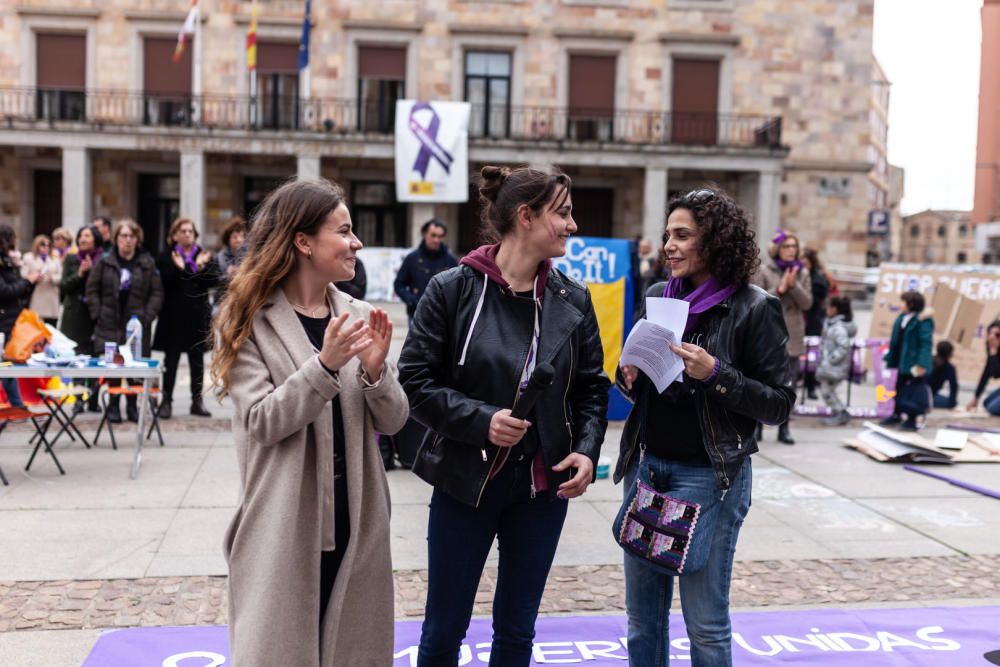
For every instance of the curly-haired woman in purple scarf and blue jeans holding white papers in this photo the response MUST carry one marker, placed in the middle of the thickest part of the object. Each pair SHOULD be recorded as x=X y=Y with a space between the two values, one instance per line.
x=694 y=441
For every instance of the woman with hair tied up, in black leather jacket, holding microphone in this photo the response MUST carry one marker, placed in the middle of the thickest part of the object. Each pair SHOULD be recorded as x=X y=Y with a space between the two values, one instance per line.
x=475 y=339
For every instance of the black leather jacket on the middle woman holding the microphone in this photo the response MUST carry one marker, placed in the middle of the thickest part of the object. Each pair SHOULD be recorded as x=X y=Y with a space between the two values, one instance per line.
x=456 y=402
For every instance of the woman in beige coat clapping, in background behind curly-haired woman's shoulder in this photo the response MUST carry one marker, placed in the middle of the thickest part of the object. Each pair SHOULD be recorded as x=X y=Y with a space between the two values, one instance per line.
x=785 y=277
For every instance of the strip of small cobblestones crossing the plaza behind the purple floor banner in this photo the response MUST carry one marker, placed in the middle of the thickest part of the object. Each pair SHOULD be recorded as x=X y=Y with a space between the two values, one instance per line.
x=54 y=605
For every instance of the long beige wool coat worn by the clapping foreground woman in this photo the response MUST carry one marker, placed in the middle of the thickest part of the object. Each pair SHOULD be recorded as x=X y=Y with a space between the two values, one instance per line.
x=283 y=428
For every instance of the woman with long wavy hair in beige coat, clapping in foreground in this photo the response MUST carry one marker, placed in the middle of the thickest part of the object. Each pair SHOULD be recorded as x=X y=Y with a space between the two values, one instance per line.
x=310 y=574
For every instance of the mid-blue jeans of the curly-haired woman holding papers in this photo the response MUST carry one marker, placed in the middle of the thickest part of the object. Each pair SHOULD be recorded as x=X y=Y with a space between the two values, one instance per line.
x=704 y=594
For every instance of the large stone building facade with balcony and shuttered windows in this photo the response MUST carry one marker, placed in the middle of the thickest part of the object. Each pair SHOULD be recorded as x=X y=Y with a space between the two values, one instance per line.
x=635 y=99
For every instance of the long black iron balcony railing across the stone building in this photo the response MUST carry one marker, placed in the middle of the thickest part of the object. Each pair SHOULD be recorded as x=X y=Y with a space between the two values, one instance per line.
x=347 y=116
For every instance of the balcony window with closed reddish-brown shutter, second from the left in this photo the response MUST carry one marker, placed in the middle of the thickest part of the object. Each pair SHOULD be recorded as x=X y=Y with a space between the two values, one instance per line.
x=166 y=85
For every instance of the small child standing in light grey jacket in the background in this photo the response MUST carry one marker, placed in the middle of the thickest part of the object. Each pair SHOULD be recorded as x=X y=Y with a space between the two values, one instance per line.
x=835 y=357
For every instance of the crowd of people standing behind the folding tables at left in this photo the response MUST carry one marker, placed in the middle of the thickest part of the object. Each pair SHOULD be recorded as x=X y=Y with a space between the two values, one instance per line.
x=89 y=285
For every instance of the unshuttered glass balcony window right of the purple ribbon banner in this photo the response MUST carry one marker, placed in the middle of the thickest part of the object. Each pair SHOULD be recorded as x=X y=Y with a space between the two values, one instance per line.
x=487 y=89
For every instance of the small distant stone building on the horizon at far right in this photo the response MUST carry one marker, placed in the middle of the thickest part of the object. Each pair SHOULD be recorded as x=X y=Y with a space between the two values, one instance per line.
x=938 y=237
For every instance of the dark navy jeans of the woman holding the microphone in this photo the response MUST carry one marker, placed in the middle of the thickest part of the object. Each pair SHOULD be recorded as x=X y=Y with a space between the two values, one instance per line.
x=459 y=538
